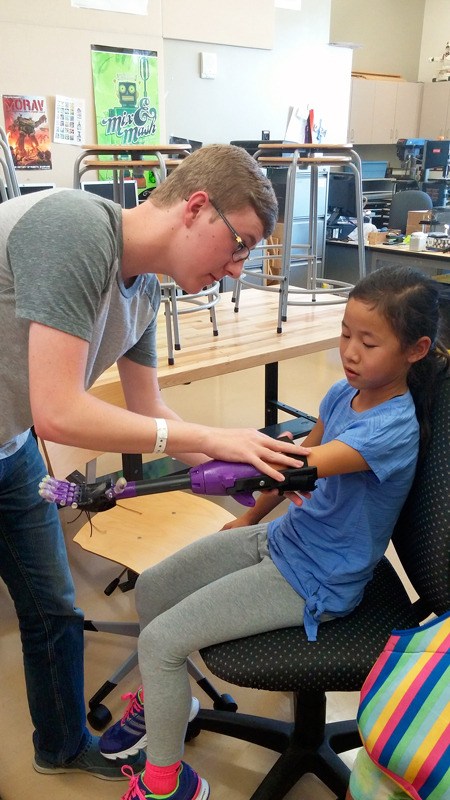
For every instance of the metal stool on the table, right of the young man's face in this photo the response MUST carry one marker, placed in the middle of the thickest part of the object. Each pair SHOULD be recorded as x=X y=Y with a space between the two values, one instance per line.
x=304 y=157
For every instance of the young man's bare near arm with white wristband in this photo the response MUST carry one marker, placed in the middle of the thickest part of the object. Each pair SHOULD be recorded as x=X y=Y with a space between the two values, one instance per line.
x=64 y=412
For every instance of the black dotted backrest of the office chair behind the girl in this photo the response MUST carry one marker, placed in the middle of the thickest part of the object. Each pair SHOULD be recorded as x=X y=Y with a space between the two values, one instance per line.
x=422 y=534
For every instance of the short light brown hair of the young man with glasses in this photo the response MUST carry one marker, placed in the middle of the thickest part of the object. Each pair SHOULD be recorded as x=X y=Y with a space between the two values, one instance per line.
x=231 y=177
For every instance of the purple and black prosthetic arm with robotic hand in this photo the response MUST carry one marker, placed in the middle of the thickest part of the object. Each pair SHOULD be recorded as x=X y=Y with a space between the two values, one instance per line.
x=211 y=478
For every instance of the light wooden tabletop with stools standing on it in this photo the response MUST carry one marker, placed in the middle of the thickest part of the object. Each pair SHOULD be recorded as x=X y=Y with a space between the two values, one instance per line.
x=246 y=339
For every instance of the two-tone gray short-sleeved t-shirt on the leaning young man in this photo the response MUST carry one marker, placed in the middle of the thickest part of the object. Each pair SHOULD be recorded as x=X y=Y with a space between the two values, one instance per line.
x=60 y=265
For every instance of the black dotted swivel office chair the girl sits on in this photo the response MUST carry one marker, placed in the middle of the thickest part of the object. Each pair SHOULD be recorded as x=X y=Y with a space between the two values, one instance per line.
x=347 y=648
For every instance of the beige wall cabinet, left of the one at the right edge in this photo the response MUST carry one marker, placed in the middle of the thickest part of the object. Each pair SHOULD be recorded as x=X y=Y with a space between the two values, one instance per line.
x=382 y=112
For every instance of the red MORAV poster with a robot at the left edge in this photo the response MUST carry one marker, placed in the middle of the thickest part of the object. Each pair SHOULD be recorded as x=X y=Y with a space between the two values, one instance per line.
x=27 y=129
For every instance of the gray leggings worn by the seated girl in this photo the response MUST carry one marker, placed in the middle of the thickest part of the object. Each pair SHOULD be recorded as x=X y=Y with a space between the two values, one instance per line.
x=222 y=587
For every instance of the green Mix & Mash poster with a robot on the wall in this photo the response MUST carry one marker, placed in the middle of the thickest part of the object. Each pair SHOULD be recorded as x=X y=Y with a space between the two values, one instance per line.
x=126 y=102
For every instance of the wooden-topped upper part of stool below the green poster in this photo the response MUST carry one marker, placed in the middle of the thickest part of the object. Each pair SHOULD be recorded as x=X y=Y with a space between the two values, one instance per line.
x=146 y=156
